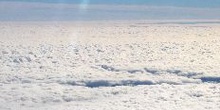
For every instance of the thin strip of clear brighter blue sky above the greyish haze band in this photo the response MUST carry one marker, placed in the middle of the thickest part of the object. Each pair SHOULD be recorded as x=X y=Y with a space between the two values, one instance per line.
x=177 y=3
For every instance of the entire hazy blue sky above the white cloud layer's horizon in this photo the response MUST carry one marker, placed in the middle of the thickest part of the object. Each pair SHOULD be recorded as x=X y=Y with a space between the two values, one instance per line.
x=72 y=10
